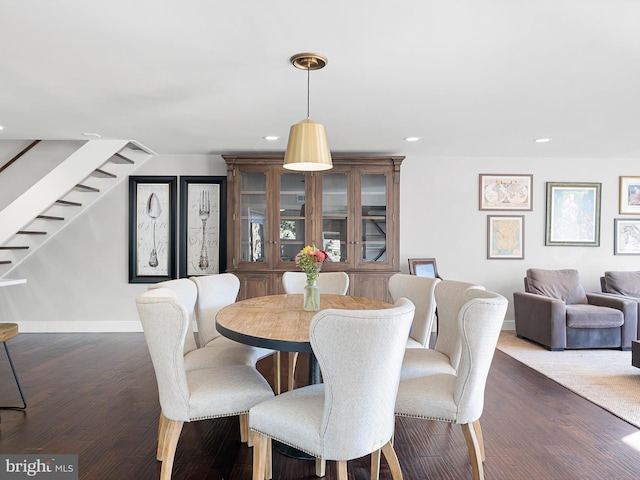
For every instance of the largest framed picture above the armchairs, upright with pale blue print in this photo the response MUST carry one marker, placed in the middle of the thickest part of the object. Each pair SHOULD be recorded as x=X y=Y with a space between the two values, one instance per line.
x=573 y=214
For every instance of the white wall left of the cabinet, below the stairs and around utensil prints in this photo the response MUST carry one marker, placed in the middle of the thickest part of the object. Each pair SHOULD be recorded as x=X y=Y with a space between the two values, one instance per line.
x=78 y=281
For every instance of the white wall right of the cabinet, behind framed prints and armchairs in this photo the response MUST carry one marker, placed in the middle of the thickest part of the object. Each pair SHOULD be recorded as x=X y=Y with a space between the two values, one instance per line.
x=440 y=217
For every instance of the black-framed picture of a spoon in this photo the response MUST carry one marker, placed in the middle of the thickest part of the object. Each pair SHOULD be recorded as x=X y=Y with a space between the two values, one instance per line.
x=152 y=228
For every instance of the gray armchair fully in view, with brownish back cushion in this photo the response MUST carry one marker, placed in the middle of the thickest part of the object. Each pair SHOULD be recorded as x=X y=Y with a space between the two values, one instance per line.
x=555 y=312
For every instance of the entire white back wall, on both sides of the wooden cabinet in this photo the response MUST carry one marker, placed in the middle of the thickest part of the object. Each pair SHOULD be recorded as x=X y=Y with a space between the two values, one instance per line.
x=79 y=280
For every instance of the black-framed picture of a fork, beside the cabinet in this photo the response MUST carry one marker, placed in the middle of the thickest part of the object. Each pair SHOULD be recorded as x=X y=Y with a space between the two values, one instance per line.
x=203 y=241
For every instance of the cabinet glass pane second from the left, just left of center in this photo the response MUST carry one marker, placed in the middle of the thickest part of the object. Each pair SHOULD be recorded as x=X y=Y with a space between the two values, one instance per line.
x=292 y=215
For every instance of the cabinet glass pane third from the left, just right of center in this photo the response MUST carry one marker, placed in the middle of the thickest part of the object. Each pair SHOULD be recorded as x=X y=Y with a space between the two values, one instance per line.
x=335 y=208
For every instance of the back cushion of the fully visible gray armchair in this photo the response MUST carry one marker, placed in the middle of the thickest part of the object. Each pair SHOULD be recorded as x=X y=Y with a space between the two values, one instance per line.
x=561 y=284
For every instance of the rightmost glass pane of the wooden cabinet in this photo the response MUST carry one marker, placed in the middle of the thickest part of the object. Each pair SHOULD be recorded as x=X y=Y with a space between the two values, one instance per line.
x=373 y=218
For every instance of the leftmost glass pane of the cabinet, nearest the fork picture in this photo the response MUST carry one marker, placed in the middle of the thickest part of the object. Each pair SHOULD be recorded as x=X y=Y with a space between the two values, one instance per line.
x=253 y=202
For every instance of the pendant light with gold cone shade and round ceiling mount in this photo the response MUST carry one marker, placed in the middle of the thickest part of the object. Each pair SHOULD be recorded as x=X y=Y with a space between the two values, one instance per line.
x=308 y=149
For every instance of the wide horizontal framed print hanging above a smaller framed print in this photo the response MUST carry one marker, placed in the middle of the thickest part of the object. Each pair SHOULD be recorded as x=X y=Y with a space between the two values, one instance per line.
x=505 y=191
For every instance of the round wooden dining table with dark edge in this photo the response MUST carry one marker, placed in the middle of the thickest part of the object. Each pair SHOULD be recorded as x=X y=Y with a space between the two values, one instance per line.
x=279 y=322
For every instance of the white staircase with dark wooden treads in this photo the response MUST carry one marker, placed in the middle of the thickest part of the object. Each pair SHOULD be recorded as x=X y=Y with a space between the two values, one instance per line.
x=35 y=215
